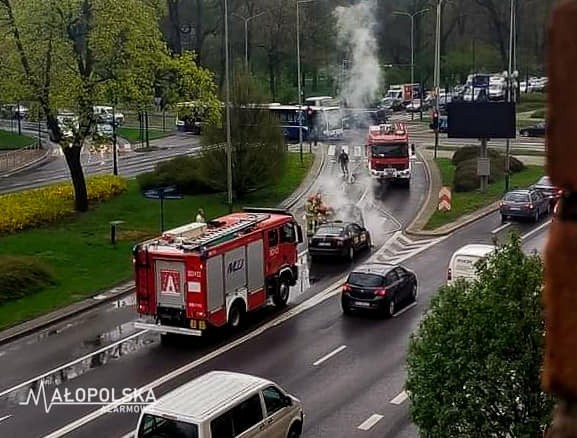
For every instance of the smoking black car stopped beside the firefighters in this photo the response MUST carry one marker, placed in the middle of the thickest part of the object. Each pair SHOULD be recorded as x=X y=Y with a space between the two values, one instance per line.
x=344 y=239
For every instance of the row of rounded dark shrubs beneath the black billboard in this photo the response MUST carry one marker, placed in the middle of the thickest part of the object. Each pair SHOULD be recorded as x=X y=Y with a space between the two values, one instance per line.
x=466 y=179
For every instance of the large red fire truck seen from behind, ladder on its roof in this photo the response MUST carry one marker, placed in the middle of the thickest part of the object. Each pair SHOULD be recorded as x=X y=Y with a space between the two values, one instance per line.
x=209 y=275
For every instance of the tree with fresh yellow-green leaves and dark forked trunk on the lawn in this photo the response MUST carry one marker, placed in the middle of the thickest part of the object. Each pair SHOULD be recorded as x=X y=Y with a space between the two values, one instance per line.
x=76 y=53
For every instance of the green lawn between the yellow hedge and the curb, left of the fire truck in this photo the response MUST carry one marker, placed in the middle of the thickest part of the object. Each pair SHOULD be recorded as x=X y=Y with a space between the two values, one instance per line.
x=84 y=261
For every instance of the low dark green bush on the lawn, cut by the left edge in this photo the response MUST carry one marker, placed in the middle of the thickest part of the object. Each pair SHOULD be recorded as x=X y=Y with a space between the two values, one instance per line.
x=21 y=276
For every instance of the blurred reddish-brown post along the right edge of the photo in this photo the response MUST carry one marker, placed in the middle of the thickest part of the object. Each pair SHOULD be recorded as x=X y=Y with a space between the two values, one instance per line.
x=560 y=292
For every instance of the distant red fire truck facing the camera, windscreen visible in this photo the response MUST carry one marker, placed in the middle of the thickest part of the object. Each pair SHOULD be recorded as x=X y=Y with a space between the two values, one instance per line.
x=387 y=152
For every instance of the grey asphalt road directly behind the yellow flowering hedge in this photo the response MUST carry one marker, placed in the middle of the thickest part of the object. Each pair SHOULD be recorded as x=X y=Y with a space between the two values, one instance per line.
x=130 y=164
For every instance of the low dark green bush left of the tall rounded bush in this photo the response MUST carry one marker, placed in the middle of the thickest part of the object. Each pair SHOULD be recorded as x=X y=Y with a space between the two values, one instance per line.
x=182 y=172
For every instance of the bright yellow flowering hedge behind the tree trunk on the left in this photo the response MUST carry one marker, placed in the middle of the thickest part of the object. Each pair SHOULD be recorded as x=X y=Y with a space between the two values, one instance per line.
x=47 y=205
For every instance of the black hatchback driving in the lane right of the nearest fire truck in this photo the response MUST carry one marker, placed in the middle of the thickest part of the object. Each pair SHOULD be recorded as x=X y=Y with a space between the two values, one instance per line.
x=379 y=287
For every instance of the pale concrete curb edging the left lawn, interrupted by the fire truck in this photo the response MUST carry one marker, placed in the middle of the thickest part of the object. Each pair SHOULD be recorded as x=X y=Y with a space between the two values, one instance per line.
x=117 y=292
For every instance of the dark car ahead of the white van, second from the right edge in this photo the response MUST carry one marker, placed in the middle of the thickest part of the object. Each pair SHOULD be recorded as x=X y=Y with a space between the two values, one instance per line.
x=524 y=203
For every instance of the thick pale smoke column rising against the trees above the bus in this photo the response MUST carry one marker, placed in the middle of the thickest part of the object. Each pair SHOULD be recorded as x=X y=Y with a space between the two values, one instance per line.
x=356 y=36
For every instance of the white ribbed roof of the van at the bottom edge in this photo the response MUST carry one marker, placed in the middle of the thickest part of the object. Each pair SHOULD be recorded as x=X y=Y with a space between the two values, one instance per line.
x=203 y=397
